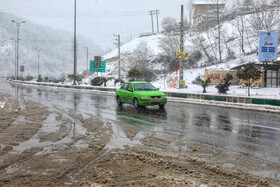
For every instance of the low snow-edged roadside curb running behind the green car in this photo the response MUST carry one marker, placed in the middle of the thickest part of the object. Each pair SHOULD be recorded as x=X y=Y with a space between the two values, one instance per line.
x=244 y=103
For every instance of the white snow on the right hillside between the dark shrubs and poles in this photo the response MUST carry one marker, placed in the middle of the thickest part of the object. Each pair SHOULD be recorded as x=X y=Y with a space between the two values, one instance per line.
x=232 y=54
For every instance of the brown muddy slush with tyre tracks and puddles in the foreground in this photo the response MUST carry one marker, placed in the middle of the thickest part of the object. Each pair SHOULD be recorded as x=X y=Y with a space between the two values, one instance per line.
x=40 y=146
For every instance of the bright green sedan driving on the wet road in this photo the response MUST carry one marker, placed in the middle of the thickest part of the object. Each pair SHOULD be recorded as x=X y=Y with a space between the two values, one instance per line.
x=140 y=94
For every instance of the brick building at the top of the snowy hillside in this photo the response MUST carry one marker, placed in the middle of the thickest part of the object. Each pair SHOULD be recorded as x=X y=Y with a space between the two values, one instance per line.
x=206 y=10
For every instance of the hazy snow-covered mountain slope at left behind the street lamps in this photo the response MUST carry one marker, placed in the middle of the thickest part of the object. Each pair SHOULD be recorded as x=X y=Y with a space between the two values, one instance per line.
x=56 y=56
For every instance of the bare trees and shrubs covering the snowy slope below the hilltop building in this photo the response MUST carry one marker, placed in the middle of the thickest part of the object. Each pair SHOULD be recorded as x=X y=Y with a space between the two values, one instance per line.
x=222 y=44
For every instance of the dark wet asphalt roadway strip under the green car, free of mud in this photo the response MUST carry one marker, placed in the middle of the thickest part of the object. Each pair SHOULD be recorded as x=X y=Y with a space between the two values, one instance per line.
x=253 y=134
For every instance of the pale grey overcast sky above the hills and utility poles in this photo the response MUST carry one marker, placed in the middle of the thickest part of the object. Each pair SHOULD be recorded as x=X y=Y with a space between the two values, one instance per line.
x=97 y=20
